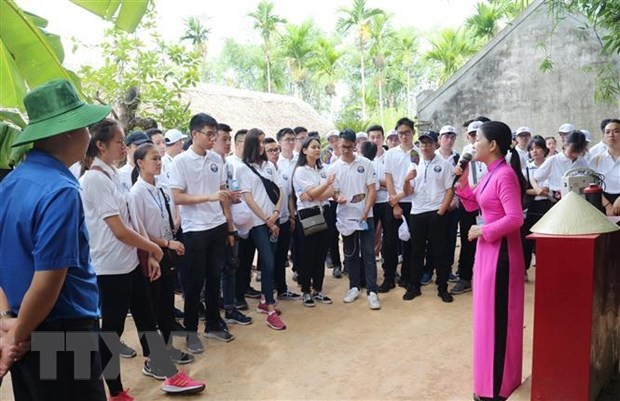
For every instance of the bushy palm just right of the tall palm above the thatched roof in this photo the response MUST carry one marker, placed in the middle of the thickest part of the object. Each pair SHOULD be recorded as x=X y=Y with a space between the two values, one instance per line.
x=296 y=45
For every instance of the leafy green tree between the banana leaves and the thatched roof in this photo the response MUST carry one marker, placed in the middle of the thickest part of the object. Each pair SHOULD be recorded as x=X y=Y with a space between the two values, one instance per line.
x=159 y=71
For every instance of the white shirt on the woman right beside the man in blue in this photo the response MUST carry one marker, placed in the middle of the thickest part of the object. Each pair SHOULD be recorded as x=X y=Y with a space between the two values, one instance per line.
x=104 y=197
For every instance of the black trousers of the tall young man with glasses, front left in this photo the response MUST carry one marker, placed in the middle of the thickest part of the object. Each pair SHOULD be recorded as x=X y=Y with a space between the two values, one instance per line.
x=206 y=256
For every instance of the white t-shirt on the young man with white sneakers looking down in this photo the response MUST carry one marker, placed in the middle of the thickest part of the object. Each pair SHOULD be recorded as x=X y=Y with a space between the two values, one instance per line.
x=350 y=180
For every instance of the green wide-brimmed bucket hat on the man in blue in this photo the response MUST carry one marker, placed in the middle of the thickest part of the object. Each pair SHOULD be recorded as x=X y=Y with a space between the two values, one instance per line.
x=54 y=108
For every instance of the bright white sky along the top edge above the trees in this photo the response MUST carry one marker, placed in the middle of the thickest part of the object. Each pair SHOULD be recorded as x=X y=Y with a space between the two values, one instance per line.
x=228 y=18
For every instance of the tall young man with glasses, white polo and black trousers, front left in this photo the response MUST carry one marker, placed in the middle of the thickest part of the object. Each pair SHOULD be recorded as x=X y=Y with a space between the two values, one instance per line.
x=198 y=185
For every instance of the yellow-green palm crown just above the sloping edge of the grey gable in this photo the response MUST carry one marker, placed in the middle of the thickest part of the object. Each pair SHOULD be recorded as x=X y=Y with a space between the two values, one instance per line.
x=451 y=49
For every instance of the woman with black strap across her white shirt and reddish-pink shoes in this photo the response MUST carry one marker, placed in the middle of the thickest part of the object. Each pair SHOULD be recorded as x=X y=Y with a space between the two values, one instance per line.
x=265 y=229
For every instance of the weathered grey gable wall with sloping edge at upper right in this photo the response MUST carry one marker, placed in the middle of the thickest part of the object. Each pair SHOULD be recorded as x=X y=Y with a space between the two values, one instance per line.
x=503 y=80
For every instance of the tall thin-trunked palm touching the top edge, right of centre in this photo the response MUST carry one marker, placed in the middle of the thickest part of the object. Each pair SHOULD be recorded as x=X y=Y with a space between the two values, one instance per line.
x=358 y=17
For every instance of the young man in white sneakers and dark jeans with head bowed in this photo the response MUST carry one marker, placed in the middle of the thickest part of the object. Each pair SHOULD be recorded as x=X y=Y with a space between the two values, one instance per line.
x=355 y=192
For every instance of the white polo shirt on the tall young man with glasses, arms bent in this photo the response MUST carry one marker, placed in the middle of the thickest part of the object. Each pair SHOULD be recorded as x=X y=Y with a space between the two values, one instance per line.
x=199 y=175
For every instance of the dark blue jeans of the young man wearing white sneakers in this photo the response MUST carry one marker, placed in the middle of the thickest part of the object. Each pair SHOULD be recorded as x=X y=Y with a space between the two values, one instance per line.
x=363 y=241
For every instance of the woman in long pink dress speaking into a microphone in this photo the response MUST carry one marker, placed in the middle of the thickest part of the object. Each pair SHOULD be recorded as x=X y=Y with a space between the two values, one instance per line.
x=498 y=285
